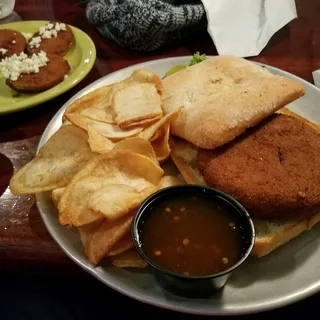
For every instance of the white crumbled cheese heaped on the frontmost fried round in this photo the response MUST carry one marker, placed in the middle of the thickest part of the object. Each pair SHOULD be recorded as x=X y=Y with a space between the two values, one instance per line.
x=12 y=67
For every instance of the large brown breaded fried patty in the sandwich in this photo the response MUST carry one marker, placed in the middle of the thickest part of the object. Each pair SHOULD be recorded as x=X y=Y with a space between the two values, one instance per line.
x=273 y=169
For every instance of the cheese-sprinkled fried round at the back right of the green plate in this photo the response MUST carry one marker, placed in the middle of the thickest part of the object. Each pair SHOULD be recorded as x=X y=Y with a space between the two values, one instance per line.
x=58 y=45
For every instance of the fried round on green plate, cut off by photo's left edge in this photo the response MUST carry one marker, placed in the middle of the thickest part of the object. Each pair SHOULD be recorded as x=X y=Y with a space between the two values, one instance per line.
x=12 y=42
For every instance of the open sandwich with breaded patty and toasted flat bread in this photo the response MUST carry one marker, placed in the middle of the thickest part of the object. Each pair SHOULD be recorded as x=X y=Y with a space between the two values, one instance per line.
x=235 y=134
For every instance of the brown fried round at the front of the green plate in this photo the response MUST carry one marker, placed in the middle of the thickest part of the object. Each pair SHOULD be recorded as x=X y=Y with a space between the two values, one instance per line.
x=48 y=76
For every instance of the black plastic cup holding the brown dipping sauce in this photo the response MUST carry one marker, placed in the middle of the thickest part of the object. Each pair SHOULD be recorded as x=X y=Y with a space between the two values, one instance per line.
x=186 y=285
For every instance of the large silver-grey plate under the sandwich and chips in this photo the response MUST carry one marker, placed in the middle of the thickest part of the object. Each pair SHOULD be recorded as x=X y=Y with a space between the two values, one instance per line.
x=285 y=276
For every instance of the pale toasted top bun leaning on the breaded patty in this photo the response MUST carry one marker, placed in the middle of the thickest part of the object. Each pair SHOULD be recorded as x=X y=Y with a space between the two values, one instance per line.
x=222 y=97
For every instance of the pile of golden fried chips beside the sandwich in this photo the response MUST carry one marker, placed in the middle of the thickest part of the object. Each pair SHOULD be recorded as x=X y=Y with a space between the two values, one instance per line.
x=102 y=163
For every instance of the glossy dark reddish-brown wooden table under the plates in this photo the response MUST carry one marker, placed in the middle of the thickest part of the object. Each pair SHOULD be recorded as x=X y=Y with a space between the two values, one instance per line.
x=25 y=244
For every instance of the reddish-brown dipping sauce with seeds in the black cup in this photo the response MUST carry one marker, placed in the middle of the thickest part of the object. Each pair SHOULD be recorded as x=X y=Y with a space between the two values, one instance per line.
x=192 y=235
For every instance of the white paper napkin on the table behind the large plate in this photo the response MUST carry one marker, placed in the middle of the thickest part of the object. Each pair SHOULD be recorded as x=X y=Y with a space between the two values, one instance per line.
x=243 y=27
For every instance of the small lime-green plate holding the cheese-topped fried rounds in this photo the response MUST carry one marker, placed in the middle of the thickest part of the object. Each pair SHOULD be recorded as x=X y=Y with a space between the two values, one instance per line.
x=81 y=58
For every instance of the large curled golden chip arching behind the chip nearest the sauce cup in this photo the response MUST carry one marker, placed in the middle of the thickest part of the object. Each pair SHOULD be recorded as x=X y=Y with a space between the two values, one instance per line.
x=114 y=167
